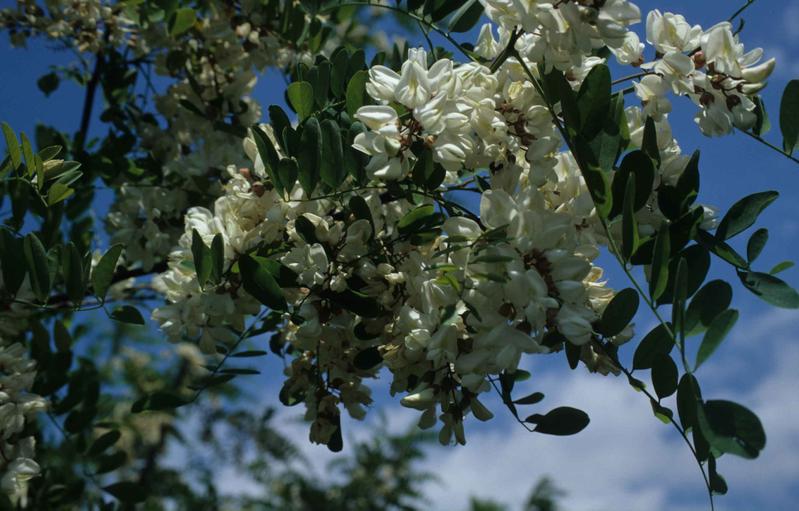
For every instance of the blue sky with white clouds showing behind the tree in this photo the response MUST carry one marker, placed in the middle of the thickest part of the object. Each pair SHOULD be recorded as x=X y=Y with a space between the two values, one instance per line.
x=625 y=459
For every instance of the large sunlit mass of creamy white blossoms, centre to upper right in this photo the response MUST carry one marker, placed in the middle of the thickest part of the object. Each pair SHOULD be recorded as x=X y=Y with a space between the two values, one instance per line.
x=445 y=298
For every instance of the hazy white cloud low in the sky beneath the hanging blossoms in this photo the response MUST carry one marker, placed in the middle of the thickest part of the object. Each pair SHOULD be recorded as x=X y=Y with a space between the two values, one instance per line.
x=625 y=459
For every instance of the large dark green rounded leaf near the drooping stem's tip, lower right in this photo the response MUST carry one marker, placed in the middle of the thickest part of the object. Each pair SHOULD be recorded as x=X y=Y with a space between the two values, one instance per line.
x=731 y=428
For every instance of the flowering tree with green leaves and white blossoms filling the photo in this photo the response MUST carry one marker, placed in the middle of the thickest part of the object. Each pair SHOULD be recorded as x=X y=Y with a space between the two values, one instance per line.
x=335 y=230
